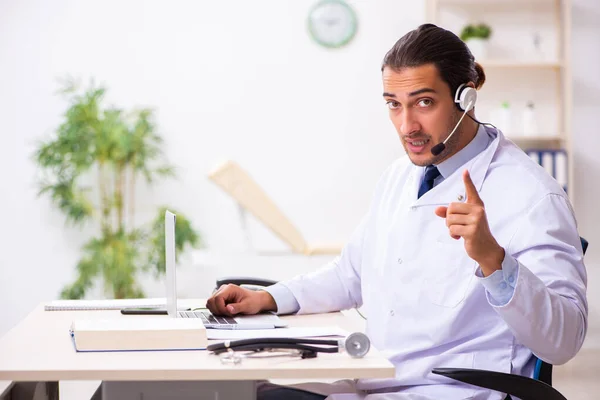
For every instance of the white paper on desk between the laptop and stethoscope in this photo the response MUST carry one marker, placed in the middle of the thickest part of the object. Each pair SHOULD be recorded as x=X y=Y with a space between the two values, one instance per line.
x=227 y=334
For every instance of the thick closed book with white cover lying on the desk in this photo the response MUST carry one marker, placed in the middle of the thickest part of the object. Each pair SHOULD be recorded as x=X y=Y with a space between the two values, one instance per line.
x=134 y=334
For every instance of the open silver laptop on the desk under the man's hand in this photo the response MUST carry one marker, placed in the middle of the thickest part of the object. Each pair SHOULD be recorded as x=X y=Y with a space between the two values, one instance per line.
x=259 y=321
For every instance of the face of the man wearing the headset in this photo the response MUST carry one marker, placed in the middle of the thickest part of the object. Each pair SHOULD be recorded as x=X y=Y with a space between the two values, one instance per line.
x=423 y=112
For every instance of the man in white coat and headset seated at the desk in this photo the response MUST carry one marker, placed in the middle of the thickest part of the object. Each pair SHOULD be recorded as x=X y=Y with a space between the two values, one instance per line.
x=469 y=255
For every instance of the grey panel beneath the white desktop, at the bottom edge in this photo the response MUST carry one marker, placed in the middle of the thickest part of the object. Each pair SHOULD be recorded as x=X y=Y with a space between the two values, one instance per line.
x=214 y=390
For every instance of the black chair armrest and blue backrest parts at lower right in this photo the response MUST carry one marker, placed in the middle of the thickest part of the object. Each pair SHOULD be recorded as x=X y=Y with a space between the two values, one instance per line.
x=525 y=388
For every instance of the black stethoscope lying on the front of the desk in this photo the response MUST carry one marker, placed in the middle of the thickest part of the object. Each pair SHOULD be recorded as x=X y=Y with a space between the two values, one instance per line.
x=356 y=344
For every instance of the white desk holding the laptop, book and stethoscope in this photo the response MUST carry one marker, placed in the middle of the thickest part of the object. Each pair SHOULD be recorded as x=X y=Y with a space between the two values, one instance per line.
x=39 y=349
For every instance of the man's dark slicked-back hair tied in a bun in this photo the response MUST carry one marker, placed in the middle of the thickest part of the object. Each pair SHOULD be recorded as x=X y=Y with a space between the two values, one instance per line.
x=430 y=44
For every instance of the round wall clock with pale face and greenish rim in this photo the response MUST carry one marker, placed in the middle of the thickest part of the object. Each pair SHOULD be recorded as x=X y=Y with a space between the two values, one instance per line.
x=332 y=23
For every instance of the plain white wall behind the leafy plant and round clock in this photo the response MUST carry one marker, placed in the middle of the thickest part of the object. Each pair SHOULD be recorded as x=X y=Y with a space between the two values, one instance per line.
x=233 y=79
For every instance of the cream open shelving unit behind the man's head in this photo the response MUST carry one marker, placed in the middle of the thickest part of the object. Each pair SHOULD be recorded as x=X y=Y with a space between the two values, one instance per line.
x=528 y=61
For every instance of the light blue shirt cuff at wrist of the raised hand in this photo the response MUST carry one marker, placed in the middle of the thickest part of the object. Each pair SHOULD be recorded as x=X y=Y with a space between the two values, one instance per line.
x=500 y=285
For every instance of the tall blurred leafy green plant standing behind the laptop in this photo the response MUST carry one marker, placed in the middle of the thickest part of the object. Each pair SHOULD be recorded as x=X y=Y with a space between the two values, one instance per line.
x=90 y=168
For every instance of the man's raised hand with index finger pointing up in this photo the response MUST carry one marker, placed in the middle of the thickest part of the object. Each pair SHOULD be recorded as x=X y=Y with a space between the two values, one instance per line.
x=469 y=221
